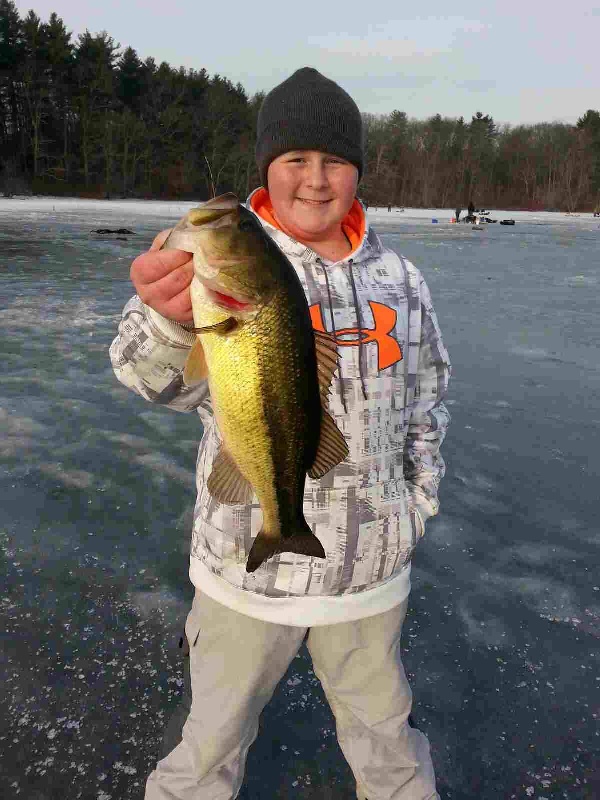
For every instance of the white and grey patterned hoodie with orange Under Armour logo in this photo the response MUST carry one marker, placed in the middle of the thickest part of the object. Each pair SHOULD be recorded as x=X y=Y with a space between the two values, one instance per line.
x=370 y=510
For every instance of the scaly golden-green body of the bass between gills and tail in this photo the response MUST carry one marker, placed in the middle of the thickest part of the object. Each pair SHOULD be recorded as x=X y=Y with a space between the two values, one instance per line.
x=265 y=398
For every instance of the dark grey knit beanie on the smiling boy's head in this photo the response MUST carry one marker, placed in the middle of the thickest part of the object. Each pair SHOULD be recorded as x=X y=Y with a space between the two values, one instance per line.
x=308 y=112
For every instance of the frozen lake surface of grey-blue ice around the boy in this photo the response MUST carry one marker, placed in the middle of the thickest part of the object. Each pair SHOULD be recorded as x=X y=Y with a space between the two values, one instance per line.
x=97 y=488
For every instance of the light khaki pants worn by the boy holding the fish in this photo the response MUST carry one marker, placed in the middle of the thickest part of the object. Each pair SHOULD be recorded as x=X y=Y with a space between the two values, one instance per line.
x=236 y=663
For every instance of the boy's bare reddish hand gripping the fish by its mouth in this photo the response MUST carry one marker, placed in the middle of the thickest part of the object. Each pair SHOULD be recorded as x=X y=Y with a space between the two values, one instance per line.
x=162 y=280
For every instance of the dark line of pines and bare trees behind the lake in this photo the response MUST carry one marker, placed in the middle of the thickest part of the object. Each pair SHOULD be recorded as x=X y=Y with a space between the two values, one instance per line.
x=90 y=118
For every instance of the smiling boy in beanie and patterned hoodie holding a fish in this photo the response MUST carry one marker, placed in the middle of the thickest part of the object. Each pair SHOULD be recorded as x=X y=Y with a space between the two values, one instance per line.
x=369 y=512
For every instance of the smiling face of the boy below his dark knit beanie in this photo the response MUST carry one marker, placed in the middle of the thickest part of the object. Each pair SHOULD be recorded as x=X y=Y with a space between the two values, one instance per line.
x=311 y=193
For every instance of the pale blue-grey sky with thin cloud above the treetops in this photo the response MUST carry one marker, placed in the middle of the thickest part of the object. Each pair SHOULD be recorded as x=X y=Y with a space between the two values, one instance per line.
x=521 y=62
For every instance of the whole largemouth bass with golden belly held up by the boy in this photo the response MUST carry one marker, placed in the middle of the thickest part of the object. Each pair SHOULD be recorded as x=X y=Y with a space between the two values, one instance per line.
x=269 y=373
